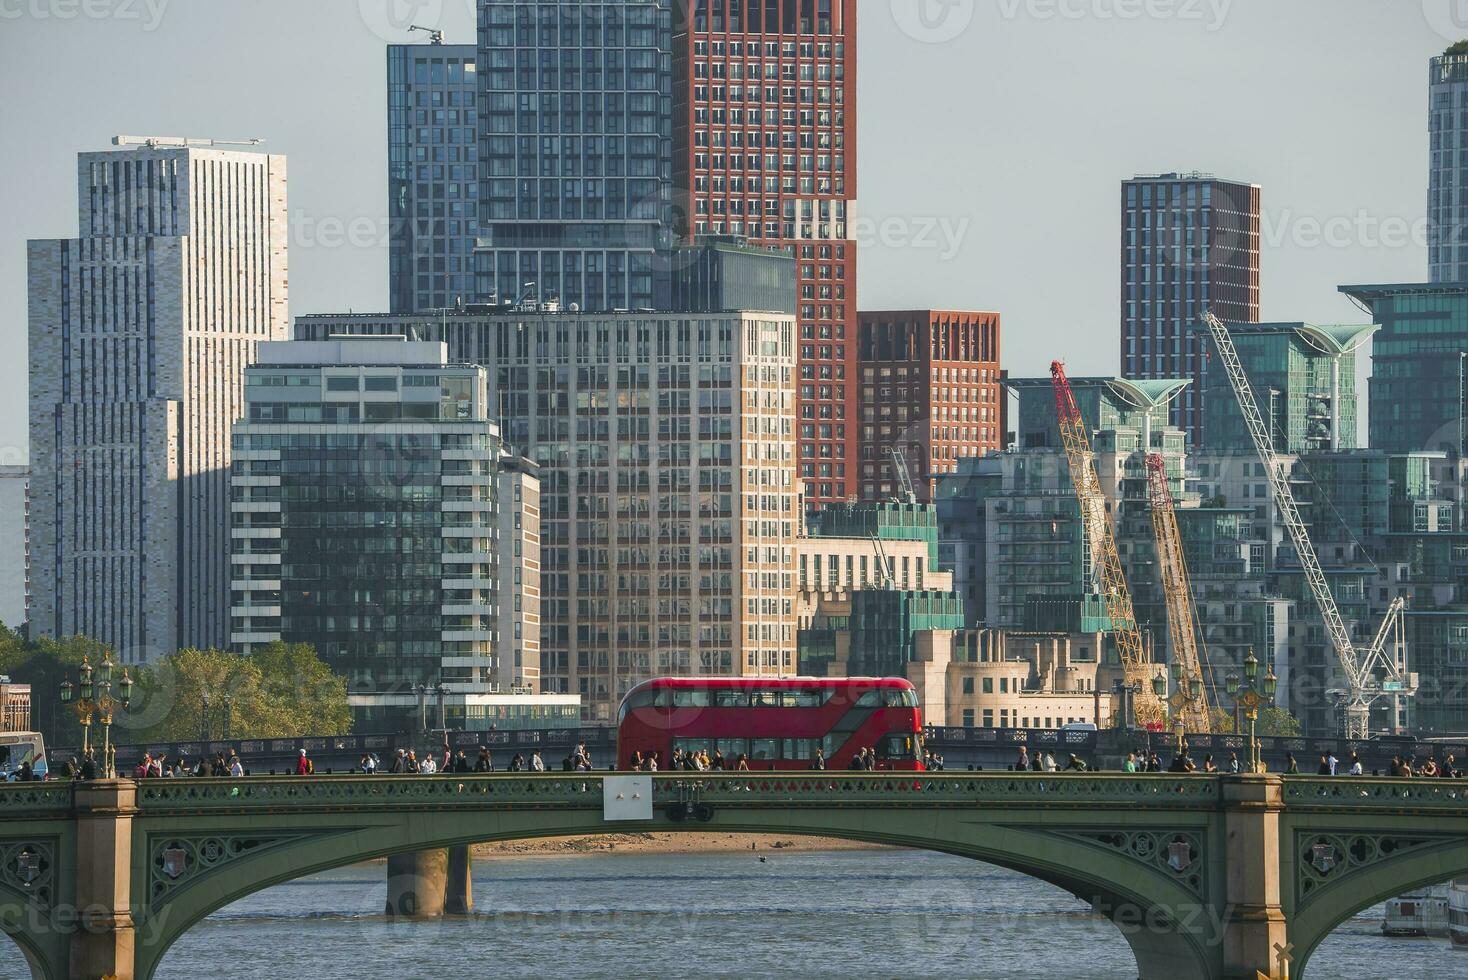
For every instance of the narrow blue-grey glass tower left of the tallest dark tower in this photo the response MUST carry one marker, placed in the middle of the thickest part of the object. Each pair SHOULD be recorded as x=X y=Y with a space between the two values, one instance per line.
x=432 y=175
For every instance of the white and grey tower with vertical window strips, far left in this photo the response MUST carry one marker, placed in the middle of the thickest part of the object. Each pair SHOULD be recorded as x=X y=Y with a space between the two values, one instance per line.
x=140 y=332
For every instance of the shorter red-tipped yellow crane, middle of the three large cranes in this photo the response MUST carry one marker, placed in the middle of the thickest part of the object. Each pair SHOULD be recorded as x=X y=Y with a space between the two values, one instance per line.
x=1190 y=654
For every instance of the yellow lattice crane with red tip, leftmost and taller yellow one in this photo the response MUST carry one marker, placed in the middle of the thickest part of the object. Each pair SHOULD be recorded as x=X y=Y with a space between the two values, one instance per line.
x=1109 y=580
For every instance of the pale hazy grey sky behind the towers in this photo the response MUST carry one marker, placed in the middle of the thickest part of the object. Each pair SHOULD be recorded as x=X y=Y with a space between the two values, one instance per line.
x=993 y=140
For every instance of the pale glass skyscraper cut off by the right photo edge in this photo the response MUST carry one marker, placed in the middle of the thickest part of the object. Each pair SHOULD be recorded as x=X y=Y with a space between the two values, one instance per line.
x=1448 y=174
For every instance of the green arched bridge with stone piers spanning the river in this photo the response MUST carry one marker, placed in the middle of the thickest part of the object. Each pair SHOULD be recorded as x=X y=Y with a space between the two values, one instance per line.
x=1206 y=877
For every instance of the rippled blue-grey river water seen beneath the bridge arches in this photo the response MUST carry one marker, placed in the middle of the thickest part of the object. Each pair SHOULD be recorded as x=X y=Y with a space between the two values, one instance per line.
x=811 y=915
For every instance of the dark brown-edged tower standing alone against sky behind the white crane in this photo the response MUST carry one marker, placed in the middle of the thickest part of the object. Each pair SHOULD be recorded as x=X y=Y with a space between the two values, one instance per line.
x=1190 y=244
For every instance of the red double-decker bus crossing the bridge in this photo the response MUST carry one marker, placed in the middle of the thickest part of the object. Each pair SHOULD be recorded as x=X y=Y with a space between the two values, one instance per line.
x=773 y=724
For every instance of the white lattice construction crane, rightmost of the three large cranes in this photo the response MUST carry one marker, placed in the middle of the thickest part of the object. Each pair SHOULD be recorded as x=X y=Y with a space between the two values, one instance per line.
x=1359 y=668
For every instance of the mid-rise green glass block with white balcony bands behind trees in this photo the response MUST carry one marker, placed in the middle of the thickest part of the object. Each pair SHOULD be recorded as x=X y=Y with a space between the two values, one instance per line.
x=375 y=511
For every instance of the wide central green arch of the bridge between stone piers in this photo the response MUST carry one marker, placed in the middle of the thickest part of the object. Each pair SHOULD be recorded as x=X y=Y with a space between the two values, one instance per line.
x=1156 y=912
